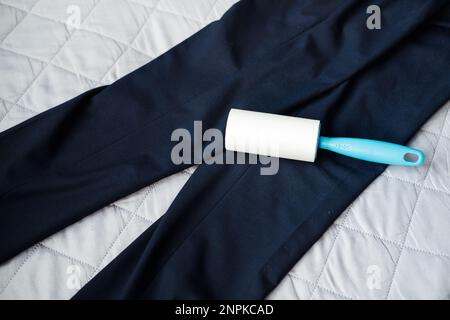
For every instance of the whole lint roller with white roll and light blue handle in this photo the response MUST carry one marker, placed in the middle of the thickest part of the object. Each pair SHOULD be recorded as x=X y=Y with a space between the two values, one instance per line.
x=298 y=139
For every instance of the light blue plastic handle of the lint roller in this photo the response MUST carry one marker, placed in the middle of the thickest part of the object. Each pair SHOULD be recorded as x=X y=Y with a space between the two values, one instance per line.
x=374 y=151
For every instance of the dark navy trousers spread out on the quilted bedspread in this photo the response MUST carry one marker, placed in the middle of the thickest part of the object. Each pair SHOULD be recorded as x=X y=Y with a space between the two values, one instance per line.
x=230 y=233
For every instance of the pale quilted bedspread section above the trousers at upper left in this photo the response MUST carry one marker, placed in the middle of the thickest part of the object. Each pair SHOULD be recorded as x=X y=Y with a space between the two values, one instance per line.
x=91 y=55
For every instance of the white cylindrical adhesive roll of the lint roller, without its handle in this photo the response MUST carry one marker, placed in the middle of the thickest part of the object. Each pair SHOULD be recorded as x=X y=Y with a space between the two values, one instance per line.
x=272 y=135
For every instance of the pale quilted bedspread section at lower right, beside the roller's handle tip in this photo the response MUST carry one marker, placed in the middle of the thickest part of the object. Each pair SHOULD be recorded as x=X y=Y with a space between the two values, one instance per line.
x=396 y=231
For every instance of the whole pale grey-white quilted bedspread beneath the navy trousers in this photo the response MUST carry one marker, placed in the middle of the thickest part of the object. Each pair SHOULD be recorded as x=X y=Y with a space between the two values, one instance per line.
x=392 y=242
